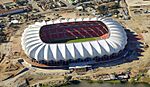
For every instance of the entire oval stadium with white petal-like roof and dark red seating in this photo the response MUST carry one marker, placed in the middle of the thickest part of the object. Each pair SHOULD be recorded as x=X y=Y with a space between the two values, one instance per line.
x=62 y=42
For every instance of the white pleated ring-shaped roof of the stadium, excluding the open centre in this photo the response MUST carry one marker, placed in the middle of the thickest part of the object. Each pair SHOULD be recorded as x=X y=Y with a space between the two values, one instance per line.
x=35 y=48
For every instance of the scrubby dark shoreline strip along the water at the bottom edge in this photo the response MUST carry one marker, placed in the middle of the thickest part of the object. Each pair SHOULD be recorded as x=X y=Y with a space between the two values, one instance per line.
x=77 y=82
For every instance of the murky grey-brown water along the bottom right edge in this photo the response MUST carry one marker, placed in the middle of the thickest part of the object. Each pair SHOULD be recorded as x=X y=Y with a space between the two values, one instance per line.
x=86 y=84
